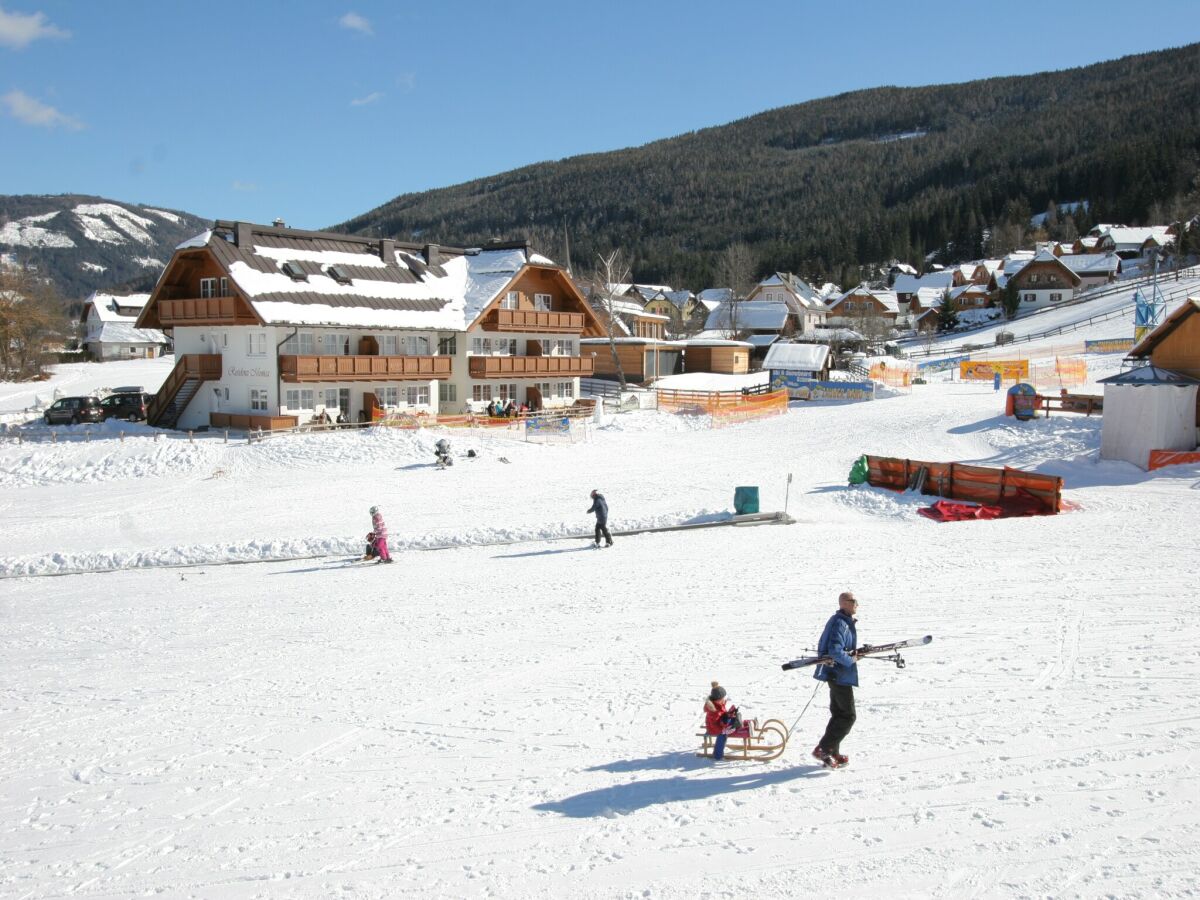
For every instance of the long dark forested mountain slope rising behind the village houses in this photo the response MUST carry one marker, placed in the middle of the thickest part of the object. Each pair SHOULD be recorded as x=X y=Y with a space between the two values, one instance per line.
x=824 y=187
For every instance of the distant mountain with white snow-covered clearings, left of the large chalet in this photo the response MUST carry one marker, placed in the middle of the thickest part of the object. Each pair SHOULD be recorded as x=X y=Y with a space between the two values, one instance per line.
x=85 y=244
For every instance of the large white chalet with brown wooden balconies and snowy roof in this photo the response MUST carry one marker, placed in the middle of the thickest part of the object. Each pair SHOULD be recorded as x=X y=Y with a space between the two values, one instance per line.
x=273 y=326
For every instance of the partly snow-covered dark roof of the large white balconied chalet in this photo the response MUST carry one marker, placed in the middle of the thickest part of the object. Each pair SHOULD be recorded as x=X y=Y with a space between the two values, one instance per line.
x=290 y=278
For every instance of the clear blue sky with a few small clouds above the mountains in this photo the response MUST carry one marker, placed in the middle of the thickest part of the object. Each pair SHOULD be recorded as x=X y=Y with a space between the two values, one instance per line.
x=316 y=112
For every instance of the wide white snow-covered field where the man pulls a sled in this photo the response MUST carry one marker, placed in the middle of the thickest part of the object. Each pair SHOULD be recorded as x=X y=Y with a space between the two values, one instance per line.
x=520 y=719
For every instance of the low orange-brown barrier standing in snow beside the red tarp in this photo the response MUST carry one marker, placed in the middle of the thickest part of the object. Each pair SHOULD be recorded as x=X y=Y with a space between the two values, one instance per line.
x=961 y=482
